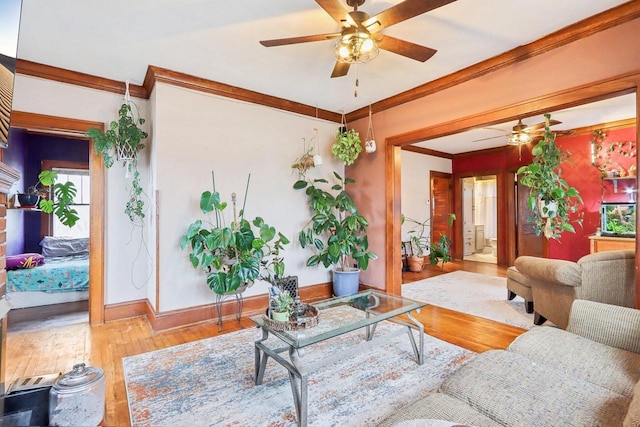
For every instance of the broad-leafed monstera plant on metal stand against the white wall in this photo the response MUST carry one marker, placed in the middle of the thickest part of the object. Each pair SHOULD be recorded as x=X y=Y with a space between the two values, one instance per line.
x=236 y=255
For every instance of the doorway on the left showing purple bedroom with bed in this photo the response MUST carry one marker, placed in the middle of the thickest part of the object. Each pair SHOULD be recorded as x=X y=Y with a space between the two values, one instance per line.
x=56 y=291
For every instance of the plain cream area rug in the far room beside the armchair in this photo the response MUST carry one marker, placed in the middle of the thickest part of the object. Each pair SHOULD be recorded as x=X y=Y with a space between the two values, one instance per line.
x=472 y=293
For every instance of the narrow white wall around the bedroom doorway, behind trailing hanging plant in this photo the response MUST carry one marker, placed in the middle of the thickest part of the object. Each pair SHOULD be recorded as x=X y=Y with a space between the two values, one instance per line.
x=127 y=264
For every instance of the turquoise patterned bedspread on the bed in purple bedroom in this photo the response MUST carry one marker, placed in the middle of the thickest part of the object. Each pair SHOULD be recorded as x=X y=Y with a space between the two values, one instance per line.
x=60 y=274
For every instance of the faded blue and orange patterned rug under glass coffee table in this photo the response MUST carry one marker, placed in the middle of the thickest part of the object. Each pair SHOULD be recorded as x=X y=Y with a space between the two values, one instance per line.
x=211 y=382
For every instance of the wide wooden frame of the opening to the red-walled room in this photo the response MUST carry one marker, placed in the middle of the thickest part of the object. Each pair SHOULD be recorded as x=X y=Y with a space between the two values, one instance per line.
x=571 y=97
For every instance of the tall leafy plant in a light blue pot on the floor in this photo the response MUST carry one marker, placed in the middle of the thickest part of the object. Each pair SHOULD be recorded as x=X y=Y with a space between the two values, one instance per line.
x=337 y=231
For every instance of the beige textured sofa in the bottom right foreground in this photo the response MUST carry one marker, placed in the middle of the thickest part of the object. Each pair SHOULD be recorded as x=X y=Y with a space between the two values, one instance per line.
x=588 y=375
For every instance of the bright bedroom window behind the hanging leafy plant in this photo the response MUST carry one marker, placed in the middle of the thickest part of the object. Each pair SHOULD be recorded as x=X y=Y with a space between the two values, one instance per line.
x=82 y=181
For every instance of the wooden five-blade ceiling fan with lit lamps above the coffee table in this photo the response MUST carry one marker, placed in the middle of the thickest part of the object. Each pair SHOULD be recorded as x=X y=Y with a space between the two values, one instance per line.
x=359 y=39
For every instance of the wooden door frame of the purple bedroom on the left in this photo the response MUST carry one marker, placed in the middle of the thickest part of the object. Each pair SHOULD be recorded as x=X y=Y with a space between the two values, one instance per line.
x=63 y=126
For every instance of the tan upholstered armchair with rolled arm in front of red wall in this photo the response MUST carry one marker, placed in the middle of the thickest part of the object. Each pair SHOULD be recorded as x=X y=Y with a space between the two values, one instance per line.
x=606 y=277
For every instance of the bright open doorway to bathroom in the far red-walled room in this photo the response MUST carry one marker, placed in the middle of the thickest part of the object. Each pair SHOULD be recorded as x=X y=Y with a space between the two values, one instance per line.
x=480 y=218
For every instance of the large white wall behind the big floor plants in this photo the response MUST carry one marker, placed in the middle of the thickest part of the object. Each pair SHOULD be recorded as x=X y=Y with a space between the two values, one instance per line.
x=195 y=133
